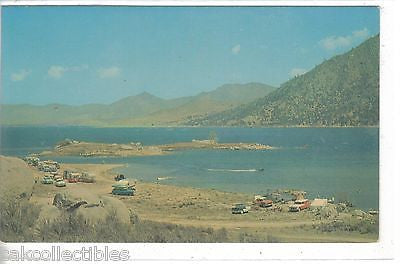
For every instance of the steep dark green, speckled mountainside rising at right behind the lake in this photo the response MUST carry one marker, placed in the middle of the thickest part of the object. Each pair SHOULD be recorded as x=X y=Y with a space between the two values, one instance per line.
x=342 y=91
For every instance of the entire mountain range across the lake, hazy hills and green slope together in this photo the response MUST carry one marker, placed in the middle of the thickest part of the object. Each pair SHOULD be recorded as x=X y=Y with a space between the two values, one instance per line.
x=341 y=91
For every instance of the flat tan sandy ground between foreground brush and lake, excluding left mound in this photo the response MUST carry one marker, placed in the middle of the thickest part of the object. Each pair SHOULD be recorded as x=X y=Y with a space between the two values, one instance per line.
x=205 y=208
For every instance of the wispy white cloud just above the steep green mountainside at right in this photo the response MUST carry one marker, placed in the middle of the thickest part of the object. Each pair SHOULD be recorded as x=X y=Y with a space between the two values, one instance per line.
x=334 y=42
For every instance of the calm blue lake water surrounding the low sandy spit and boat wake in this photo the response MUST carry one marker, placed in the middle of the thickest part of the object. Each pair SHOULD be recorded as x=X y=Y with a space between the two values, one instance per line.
x=326 y=162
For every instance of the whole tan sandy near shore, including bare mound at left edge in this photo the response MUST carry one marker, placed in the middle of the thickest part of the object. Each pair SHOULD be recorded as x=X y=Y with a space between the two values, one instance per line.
x=186 y=207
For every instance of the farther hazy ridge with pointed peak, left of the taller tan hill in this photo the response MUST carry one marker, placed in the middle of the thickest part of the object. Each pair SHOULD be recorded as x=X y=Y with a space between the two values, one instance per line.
x=90 y=114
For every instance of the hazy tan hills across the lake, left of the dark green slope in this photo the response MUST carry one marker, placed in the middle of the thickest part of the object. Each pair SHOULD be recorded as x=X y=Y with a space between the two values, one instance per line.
x=143 y=109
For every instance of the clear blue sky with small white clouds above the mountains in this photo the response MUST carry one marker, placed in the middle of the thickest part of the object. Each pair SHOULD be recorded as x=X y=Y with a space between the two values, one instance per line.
x=80 y=55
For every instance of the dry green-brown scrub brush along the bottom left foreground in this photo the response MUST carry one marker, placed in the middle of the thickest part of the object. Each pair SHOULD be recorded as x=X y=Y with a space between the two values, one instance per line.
x=17 y=225
